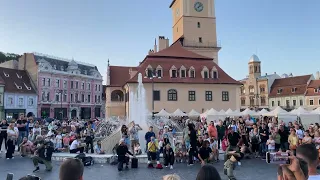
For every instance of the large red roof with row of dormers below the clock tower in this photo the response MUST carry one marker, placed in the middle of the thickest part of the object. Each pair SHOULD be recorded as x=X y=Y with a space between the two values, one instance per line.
x=177 y=56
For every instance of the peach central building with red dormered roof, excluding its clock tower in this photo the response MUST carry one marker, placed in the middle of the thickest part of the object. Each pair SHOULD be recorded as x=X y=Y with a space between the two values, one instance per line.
x=179 y=79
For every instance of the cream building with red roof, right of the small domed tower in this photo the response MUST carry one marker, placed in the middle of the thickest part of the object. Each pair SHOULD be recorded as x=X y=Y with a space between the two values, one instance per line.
x=289 y=92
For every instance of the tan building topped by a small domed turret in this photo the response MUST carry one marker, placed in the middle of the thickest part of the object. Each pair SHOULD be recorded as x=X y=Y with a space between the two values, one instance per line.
x=256 y=87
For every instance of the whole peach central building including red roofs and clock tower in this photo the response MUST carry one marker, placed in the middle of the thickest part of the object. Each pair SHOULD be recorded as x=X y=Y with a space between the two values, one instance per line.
x=185 y=75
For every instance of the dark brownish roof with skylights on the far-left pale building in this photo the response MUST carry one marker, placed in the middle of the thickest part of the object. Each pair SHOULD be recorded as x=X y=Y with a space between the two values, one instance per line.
x=12 y=81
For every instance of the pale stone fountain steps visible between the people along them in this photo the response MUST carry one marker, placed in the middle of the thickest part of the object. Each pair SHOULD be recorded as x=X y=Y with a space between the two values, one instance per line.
x=102 y=158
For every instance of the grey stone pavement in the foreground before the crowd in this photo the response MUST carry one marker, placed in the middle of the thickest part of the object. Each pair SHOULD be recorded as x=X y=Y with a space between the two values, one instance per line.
x=249 y=170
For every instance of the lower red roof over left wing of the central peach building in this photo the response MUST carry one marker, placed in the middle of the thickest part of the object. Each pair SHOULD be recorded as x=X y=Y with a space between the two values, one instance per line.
x=119 y=75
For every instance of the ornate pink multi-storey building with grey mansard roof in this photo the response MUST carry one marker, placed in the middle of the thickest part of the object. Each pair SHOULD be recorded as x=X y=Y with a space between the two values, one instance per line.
x=65 y=88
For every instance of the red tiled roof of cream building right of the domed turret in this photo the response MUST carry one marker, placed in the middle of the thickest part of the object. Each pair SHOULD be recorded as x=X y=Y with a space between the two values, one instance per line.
x=286 y=84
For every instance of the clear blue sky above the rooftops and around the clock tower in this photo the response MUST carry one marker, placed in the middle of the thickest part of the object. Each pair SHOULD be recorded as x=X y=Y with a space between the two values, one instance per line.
x=283 y=33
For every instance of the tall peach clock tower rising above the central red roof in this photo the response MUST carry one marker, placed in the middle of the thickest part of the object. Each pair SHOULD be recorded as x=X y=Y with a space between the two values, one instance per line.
x=194 y=22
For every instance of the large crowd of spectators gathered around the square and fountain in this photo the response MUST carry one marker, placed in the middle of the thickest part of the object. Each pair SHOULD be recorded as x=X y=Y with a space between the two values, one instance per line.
x=201 y=141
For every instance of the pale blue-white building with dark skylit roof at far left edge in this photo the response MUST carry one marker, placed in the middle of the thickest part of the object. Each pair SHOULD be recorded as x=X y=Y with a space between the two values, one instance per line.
x=20 y=97
